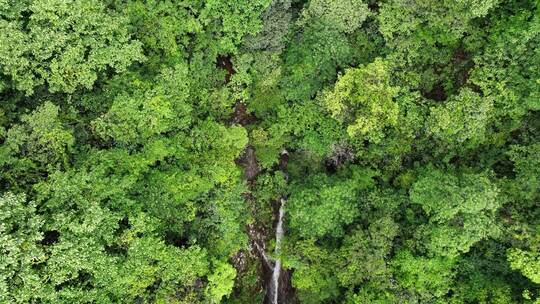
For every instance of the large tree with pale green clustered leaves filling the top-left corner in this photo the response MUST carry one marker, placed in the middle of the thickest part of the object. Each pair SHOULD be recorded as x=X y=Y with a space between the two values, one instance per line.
x=65 y=45
